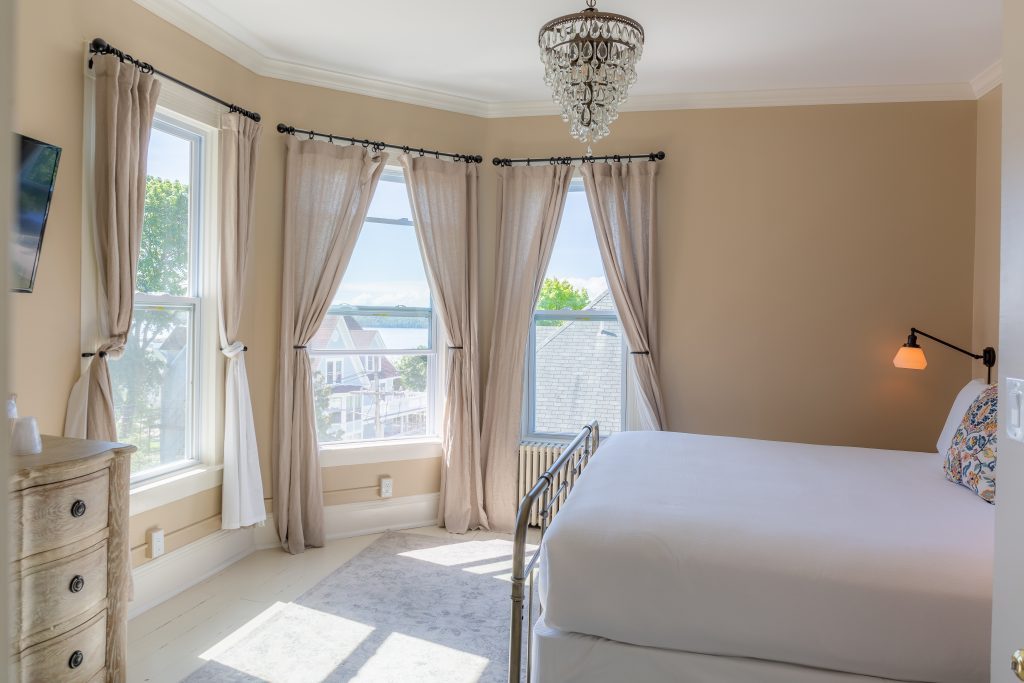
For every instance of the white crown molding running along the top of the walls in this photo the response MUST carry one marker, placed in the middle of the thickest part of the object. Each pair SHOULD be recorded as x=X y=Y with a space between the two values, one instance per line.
x=199 y=27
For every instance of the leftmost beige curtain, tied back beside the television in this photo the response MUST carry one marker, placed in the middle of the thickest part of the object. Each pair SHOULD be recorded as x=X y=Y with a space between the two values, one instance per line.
x=126 y=102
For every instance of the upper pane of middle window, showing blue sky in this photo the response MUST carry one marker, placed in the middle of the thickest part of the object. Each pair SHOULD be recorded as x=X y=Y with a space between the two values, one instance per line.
x=387 y=269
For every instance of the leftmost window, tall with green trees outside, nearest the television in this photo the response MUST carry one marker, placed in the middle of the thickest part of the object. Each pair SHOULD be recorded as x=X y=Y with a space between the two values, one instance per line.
x=155 y=383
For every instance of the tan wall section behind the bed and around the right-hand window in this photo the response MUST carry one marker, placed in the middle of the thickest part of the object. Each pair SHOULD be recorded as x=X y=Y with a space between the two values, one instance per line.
x=797 y=248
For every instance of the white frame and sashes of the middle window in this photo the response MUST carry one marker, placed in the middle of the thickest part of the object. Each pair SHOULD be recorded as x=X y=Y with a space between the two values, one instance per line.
x=394 y=448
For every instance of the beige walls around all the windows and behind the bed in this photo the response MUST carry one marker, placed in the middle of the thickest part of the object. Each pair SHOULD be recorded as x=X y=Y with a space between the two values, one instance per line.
x=797 y=247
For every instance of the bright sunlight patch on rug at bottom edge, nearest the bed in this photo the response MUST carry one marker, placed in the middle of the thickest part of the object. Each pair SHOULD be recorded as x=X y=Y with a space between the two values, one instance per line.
x=403 y=658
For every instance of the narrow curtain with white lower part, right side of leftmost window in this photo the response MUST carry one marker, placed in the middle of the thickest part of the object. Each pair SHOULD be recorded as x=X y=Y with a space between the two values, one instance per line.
x=242 y=493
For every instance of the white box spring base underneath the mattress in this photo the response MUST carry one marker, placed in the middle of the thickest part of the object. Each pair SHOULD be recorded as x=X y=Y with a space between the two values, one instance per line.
x=573 y=658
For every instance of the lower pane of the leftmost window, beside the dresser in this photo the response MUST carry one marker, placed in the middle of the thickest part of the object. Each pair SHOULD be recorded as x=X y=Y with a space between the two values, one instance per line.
x=153 y=389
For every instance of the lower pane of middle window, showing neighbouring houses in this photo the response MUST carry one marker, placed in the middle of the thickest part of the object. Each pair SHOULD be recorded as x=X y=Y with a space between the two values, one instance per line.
x=371 y=397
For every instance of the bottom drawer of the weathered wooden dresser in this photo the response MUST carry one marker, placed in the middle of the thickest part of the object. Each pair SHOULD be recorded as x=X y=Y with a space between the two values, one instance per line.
x=77 y=656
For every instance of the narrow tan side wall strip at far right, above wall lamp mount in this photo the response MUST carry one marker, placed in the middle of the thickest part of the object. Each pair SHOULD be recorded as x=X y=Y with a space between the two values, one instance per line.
x=988 y=222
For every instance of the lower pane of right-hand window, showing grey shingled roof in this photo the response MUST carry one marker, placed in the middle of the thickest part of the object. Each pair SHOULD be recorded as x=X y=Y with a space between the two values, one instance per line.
x=578 y=375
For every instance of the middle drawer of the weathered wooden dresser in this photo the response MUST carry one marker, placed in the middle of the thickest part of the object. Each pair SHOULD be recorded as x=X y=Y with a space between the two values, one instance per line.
x=51 y=595
